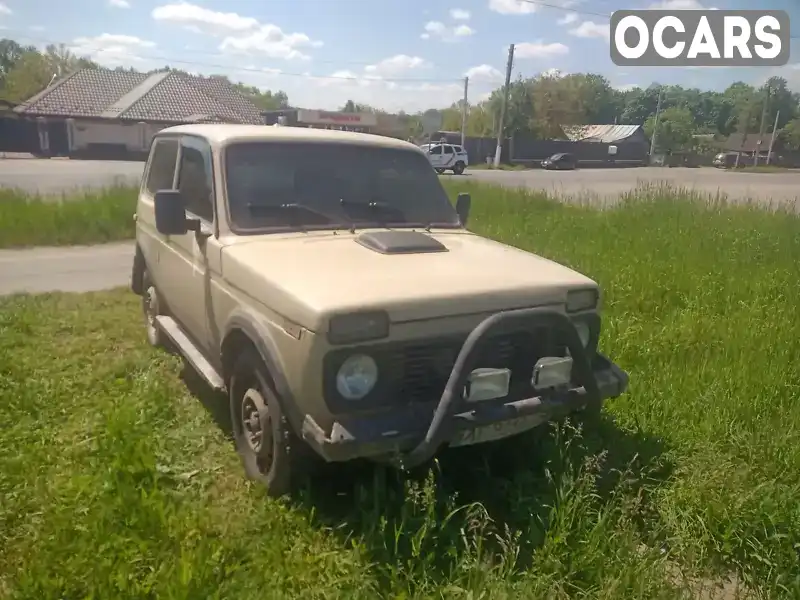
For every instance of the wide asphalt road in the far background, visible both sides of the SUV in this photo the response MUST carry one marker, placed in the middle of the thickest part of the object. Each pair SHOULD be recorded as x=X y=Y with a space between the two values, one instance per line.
x=58 y=176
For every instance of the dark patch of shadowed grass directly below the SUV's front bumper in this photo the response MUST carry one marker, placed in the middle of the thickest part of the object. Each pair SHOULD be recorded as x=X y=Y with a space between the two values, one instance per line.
x=514 y=485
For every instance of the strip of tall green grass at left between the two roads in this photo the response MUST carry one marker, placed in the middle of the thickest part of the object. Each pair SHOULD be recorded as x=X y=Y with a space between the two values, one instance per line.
x=80 y=217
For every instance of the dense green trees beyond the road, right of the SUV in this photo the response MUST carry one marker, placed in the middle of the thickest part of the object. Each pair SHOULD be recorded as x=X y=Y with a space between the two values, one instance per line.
x=540 y=105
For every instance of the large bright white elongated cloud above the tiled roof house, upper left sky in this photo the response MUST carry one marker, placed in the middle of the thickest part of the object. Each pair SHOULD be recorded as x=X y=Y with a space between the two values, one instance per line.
x=241 y=34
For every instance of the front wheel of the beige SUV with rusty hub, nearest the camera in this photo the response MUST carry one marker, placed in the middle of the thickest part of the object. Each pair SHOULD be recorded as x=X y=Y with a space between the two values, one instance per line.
x=270 y=451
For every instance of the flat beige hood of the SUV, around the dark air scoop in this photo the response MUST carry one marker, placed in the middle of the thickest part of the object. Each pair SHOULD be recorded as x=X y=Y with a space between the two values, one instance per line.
x=308 y=277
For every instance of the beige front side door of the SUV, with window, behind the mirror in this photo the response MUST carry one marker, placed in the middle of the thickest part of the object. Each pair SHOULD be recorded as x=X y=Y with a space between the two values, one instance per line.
x=191 y=251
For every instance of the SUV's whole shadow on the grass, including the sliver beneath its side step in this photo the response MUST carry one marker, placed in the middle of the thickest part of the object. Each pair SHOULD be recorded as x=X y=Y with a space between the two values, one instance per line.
x=503 y=499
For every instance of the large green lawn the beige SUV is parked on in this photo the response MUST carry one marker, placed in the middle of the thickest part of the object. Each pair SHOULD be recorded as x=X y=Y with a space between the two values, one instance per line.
x=117 y=478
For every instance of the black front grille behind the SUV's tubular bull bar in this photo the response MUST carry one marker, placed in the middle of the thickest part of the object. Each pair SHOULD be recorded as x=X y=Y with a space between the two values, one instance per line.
x=420 y=370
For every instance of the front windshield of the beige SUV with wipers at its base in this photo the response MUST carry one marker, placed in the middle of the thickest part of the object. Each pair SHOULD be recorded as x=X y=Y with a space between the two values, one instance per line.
x=324 y=185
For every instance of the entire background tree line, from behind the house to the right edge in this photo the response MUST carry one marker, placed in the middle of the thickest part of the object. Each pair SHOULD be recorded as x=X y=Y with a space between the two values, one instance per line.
x=537 y=106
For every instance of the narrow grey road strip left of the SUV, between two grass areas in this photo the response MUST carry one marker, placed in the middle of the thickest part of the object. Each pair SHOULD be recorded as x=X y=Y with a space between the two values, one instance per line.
x=75 y=269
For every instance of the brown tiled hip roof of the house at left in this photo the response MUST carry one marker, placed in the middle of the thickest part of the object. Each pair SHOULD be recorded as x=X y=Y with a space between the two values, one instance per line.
x=165 y=96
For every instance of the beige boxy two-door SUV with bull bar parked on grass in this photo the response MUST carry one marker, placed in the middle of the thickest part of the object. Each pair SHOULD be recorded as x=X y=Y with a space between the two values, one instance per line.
x=324 y=281
